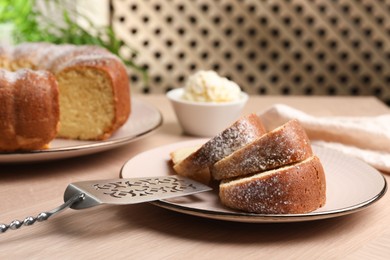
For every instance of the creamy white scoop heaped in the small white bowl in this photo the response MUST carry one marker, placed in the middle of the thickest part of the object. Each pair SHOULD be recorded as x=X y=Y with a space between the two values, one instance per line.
x=208 y=86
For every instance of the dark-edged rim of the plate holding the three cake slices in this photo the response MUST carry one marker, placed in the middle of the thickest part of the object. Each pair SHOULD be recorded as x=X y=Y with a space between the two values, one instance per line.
x=237 y=216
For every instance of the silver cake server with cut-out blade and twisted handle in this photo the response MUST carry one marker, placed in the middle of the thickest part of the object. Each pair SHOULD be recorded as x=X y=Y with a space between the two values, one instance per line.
x=86 y=194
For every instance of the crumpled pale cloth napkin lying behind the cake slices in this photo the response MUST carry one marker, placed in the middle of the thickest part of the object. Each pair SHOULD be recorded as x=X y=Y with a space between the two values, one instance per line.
x=367 y=138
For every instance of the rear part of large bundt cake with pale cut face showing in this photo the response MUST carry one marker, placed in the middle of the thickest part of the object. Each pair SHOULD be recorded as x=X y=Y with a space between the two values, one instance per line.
x=94 y=95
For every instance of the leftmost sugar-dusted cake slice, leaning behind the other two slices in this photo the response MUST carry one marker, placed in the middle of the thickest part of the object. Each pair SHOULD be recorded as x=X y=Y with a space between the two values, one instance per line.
x=237 y=135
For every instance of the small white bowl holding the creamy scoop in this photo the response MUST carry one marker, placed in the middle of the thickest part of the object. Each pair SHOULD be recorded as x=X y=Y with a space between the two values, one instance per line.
x=205 y=118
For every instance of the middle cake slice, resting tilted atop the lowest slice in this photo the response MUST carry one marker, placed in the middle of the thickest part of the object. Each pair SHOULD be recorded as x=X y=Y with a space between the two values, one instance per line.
x=284 y=145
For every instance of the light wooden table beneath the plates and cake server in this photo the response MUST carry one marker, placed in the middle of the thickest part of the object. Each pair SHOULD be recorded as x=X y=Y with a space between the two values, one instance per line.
x=145 y=231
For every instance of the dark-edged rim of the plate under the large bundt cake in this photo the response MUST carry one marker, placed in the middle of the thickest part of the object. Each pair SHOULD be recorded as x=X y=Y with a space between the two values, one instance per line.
x=31 y=156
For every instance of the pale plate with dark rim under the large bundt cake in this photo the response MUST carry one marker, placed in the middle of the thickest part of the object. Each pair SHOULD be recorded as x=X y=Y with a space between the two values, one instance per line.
x=144 y=119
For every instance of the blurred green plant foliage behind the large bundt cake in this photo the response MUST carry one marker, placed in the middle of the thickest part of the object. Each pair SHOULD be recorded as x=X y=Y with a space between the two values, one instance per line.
x=29 y=27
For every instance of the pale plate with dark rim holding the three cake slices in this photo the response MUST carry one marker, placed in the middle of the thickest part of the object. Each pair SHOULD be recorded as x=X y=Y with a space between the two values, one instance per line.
x=352 y=185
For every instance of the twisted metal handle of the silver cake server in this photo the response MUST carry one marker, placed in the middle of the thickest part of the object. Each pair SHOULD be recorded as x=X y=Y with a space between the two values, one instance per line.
x=16 y=224
